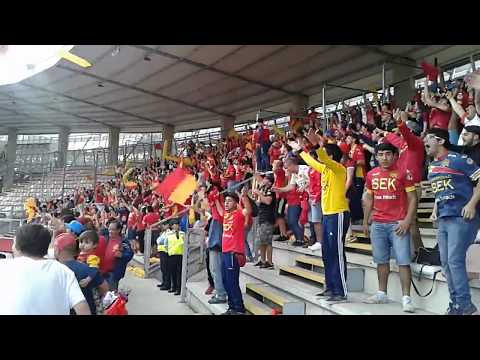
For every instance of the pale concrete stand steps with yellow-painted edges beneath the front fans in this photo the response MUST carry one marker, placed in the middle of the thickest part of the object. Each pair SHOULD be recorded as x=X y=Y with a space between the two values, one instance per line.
x=299 y=276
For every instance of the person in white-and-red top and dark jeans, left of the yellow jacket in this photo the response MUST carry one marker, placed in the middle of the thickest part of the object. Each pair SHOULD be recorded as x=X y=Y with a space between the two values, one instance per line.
x=293 y=199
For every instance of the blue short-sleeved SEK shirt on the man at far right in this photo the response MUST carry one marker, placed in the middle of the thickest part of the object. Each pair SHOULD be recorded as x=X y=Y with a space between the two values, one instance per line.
x=452 y=181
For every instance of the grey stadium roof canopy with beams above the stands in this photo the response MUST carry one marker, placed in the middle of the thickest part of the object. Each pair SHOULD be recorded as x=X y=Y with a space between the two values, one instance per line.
x=138 y=88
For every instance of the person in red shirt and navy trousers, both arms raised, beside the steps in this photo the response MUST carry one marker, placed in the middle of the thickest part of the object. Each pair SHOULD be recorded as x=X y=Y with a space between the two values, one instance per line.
x=233 y=248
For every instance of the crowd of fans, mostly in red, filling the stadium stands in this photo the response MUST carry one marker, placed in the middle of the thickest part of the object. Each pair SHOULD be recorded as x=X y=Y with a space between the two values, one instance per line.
x=363 y=167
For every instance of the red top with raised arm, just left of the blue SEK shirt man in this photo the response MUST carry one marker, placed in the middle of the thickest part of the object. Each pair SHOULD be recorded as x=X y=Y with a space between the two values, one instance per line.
x=411 y=152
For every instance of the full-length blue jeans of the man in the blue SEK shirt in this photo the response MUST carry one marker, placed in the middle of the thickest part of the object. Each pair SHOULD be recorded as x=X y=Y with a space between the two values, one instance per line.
x=454 y=236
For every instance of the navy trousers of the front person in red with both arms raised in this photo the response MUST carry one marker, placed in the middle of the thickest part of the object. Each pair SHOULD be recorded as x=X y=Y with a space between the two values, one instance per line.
x=231 y=282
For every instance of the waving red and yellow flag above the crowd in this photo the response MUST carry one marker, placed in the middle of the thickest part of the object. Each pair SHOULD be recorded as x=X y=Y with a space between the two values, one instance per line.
x=177 y=187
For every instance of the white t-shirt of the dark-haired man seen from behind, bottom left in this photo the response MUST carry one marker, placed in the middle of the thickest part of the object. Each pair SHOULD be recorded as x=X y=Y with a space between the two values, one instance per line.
x=37 y=287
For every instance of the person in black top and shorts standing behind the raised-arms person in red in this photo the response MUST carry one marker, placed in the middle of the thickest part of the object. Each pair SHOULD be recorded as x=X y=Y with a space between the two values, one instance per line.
x=266 y=220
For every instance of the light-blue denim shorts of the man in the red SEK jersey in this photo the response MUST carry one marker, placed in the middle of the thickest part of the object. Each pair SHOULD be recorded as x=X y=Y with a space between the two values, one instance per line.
x=384 y=238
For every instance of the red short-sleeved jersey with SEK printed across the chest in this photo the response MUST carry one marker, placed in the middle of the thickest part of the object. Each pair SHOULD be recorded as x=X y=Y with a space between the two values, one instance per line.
x=389 y=189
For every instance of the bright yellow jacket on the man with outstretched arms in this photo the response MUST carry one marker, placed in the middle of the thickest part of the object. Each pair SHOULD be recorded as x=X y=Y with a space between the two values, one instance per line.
x=334 y=177
